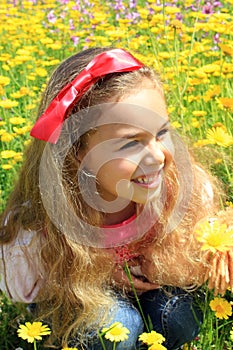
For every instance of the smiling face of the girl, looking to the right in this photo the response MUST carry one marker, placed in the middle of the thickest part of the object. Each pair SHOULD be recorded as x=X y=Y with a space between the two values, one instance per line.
x=132 y=148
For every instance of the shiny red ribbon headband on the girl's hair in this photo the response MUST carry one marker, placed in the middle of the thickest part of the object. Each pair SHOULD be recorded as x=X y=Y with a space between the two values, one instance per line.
x=48 y=126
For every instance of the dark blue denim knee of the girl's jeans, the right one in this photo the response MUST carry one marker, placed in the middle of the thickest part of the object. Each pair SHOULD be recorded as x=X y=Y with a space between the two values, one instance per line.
x=174 y=313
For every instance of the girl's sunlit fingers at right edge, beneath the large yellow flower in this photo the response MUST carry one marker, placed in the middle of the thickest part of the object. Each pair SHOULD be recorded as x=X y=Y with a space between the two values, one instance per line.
x=220 y=274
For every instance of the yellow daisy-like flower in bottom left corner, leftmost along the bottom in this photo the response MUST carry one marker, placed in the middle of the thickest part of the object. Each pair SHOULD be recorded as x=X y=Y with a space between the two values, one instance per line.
x=33 y=331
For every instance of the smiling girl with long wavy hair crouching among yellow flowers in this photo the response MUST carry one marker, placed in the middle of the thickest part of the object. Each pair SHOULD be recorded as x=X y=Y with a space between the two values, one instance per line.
x=106 y=203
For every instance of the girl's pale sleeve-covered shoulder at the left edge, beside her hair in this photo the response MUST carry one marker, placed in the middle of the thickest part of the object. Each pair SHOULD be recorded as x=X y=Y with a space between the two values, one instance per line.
x=20 y=267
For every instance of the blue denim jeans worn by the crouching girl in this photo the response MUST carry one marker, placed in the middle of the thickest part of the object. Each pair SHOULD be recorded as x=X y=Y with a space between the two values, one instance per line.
x=175 y=314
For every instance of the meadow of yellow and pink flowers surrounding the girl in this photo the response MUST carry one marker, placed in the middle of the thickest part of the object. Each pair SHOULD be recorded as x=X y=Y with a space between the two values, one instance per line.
x=189 y=42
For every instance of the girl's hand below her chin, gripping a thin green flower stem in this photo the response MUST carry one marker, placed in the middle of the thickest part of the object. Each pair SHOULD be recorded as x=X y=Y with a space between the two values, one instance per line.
x=121 y=280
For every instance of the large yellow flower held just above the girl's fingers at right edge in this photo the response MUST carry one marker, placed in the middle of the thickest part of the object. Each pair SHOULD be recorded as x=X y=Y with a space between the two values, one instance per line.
x=215 y=236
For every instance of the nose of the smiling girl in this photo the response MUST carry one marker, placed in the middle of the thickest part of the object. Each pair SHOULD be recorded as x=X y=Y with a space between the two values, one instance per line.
x=154 y=154
